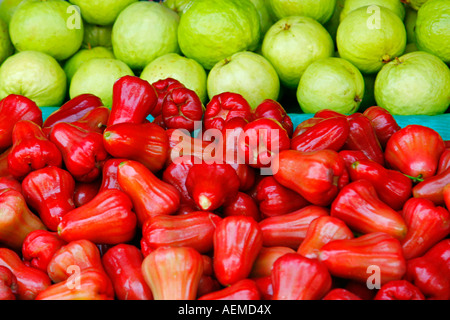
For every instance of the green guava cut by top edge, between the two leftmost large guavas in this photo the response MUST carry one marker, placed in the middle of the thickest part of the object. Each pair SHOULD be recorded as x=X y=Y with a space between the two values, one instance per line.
x=101 y=12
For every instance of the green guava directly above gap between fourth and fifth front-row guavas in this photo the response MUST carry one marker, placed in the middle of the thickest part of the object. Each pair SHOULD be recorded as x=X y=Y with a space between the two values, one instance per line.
x=292 y=44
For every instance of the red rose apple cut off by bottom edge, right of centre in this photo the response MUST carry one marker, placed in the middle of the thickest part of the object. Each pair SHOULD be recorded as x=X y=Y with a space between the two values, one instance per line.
x=295 y=277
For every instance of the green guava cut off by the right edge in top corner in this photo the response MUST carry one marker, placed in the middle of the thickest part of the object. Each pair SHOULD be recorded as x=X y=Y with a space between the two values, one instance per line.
x=433 y=28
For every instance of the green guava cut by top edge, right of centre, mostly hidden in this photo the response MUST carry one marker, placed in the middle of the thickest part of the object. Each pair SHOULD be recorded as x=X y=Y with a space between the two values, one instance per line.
x=319 y=10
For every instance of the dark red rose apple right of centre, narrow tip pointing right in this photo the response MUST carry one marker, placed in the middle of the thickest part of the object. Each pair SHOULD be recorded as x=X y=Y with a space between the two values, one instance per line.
x=274 y=199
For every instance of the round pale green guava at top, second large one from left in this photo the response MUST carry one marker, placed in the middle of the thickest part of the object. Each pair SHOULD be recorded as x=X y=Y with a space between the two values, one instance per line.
x=144 y=31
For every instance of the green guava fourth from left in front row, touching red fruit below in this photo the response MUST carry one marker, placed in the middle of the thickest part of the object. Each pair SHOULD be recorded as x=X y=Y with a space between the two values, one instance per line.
x=246 y=73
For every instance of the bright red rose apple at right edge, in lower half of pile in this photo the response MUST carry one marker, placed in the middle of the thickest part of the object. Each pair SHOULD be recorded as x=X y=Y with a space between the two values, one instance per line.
x=427 y=225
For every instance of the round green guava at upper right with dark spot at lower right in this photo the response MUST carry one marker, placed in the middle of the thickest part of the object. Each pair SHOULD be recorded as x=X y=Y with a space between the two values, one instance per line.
x=370 y=37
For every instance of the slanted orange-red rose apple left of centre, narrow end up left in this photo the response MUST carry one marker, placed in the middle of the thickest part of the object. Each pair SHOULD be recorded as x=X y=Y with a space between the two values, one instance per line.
x=150 y=195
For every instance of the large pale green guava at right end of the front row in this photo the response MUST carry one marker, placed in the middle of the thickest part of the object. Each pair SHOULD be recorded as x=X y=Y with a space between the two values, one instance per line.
x=417 y=83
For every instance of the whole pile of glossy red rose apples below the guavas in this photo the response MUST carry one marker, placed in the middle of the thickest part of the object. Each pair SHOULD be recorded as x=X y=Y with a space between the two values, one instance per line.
x=96 y=204
